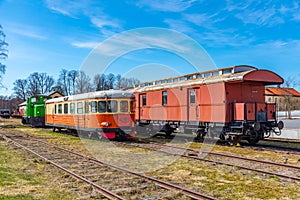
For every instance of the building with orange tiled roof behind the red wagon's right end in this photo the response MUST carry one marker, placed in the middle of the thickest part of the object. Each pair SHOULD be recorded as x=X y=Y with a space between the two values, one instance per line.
x=286 y=98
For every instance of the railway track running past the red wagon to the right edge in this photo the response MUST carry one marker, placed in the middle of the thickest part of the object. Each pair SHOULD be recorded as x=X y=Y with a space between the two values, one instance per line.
x=281 y=170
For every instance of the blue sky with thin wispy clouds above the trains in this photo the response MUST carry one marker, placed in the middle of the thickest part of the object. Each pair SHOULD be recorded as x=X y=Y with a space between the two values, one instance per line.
x=46 y=36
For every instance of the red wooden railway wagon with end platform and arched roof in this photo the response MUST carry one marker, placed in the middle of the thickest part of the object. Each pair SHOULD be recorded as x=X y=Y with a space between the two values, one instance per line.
x=228 y=103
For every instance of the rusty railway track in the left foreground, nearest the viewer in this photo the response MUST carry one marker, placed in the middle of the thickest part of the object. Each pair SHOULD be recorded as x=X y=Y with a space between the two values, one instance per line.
x=108 y=180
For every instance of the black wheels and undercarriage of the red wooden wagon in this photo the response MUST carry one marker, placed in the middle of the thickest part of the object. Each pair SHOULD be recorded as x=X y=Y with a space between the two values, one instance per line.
x=231 y=133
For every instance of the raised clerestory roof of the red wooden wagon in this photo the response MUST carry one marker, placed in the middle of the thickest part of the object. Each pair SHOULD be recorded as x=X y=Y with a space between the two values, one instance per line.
x=239 y=73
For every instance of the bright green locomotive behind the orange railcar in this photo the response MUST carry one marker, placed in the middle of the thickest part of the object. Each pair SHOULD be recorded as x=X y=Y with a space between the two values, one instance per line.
x=35 y=110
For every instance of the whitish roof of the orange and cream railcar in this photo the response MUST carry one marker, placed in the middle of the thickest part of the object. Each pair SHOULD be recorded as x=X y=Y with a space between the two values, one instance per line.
x=93 y=95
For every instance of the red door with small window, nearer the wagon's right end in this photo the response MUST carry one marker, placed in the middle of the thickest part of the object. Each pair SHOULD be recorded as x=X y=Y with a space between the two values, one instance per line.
x=192 y=106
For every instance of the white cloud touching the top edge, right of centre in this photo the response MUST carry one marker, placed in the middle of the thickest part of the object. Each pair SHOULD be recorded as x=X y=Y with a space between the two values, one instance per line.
x=166 y=5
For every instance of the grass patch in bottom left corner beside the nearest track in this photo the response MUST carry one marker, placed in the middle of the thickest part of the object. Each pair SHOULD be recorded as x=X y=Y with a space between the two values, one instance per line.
x=28 y=178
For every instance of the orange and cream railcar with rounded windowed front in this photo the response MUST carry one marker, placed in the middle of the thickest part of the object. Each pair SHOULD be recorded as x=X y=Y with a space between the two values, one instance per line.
x=106 y=113
